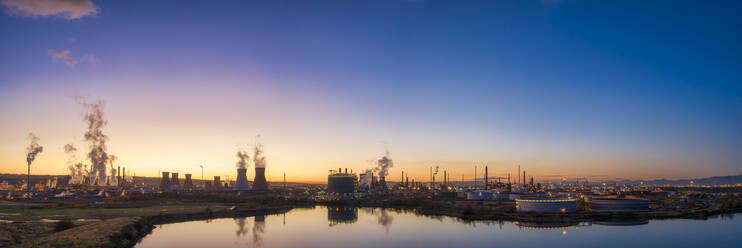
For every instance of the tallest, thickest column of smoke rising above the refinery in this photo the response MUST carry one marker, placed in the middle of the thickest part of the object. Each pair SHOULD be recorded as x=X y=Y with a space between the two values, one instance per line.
x=95 y=120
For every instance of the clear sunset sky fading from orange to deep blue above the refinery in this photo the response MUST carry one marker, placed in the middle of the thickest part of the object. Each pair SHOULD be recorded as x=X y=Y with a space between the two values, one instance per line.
x=596 y=89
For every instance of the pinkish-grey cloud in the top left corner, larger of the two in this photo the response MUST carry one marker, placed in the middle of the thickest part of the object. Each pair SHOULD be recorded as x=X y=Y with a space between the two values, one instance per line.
x=67 y=9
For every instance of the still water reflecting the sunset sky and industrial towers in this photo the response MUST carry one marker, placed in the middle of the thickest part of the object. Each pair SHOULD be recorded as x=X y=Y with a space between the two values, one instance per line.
x=373 y=227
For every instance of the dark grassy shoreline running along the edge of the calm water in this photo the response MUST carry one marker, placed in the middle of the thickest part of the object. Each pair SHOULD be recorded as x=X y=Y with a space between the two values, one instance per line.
x=120 y=227
